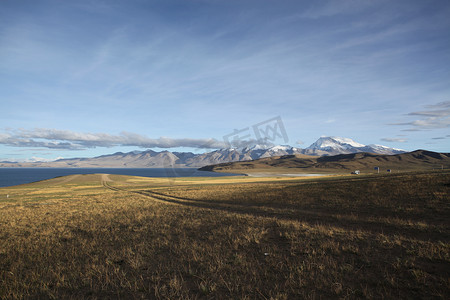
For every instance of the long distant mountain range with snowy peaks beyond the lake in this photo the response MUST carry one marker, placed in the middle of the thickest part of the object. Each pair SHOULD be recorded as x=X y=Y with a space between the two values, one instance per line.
x=324 y=146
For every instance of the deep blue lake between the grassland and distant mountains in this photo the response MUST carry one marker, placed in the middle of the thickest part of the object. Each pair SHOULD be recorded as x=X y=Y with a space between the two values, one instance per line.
x=16 y=176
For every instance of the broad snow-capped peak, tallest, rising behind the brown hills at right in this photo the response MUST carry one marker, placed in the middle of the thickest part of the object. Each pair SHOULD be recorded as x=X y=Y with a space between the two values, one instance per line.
x=333 y=145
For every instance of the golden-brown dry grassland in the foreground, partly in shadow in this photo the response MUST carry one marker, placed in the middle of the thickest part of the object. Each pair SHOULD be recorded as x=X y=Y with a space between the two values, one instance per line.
x=110 y=236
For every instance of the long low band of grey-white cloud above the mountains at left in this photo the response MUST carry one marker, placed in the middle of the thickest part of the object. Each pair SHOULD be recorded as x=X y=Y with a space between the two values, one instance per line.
x=69 y=140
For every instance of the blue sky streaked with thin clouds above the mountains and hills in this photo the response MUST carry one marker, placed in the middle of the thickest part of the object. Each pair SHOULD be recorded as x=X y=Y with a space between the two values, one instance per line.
x=87 y=78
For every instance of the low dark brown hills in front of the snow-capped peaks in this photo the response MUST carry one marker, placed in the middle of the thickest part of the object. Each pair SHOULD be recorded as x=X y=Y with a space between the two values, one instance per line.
x=365 y=162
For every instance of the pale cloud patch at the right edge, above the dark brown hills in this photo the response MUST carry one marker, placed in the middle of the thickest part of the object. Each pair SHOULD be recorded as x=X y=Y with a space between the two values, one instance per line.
x=435 y=116
